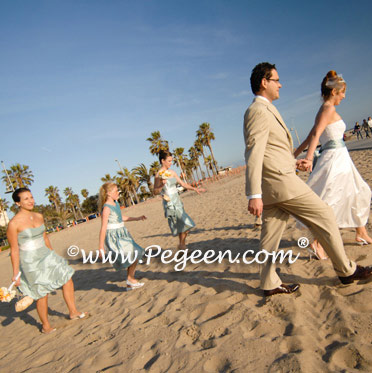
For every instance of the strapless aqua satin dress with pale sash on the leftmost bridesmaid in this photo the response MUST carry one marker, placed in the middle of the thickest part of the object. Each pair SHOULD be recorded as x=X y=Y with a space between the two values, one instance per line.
x=43 y=271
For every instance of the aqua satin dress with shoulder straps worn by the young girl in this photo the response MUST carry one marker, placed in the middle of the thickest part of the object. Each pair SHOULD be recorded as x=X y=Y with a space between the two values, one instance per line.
x=119 y=241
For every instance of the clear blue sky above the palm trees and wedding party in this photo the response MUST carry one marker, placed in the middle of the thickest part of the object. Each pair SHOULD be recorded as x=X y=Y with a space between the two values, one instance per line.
x=83 y=83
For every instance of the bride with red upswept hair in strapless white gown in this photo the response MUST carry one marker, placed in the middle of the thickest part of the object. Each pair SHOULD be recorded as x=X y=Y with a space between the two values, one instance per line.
x=334 y=177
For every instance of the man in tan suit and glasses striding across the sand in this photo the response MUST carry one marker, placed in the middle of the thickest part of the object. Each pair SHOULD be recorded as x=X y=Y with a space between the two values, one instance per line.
x=274 y=189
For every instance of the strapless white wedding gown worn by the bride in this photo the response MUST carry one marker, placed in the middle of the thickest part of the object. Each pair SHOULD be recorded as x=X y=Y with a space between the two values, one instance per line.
x=338 y=183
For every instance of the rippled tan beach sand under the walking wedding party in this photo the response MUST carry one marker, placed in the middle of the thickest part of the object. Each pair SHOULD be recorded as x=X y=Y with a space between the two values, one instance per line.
x=206 y=318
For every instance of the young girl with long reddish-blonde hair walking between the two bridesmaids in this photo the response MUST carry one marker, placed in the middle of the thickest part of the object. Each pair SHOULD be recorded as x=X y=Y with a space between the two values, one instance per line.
x=114 y=236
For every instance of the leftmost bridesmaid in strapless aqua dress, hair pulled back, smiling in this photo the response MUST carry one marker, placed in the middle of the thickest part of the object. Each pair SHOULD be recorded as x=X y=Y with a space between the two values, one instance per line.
x=42 y=270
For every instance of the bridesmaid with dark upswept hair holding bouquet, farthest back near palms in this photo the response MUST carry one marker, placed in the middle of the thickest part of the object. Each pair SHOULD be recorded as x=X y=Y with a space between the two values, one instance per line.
x=165 y=184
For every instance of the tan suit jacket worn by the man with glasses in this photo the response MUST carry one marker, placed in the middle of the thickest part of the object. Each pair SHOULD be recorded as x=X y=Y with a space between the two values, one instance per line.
x=271 y=167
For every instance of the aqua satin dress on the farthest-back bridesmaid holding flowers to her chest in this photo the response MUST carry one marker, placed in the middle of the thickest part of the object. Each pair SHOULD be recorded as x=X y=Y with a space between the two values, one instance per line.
x=178 y=220
